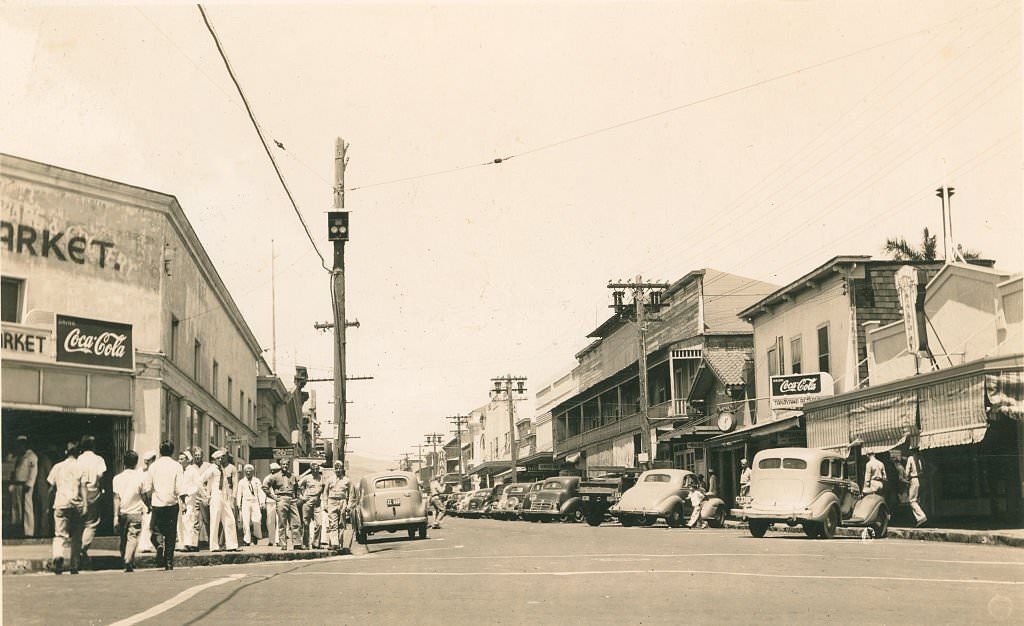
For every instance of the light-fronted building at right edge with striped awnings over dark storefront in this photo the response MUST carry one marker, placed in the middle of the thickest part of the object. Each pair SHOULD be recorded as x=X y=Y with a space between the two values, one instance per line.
x=948 y=383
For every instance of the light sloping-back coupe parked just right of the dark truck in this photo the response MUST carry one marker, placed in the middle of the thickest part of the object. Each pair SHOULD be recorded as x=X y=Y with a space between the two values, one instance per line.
x=659 y=494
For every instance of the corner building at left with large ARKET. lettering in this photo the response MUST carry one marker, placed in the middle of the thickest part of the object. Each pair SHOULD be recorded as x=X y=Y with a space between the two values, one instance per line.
x=115 y=323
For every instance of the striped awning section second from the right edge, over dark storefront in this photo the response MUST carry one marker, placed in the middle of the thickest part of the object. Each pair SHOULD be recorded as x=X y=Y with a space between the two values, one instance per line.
x=953 y=413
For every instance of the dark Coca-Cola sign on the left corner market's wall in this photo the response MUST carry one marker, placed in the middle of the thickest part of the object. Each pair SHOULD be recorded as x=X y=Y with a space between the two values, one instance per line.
x=95 y=343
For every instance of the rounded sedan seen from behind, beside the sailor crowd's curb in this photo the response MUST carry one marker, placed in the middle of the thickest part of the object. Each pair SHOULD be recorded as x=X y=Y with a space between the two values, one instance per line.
x=390 y=502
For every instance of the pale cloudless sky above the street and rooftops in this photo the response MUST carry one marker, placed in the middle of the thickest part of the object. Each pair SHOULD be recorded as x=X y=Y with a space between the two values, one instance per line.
x=648 y=139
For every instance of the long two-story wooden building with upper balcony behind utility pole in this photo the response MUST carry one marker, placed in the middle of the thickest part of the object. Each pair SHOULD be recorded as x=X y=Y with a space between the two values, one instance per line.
x=694 y=326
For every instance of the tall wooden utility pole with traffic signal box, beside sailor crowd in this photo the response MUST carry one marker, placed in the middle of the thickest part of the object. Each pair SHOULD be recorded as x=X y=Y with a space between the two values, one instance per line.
x=338 y=234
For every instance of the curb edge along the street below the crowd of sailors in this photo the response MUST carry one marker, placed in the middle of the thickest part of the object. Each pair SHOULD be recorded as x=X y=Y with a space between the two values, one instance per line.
x=186 y=560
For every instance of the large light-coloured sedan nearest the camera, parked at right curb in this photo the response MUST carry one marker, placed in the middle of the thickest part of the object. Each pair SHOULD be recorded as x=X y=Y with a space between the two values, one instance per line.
x=810 y=488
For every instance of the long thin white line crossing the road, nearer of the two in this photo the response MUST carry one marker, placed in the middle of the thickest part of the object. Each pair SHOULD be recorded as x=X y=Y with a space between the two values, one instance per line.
x=895 y=579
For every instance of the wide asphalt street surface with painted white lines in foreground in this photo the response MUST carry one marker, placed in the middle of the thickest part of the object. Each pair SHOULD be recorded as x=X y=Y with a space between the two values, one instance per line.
x=488 y=572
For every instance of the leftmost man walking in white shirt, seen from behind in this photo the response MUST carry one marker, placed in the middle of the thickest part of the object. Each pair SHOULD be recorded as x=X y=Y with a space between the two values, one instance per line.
x=69 y=493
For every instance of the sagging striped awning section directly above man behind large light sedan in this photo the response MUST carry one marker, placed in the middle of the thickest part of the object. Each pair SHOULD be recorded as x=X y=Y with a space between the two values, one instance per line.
x=883 y=423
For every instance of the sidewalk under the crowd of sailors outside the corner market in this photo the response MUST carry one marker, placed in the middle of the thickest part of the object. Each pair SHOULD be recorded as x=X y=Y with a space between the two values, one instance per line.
x=34 y=556
